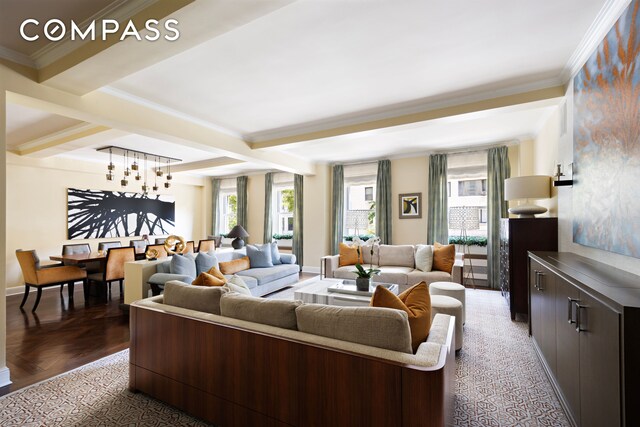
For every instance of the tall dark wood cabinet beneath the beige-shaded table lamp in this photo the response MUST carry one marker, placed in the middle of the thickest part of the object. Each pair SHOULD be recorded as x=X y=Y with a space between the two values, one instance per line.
x=517 y=236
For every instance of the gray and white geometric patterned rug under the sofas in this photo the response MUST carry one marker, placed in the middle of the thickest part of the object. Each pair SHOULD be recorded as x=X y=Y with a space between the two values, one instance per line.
x=500 y=382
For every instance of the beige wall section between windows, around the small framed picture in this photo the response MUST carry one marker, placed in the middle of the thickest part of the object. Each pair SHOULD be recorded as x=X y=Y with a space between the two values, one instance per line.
x=409 y=175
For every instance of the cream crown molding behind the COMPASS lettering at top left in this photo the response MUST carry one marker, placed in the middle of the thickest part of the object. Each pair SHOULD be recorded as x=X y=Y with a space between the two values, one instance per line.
x=120 y=10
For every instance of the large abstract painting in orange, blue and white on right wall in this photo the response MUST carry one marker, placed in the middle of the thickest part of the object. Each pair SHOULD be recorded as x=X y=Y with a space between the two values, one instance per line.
x=606 y=202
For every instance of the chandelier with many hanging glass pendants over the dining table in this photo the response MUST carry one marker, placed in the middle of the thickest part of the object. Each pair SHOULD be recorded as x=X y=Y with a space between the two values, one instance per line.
x=138 y=161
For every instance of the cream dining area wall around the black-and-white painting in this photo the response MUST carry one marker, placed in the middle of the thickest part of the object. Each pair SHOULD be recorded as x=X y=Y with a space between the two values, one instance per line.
x=37 y=206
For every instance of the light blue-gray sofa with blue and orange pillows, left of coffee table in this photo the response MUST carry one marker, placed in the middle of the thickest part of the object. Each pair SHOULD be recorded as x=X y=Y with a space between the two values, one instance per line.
x=260 y=281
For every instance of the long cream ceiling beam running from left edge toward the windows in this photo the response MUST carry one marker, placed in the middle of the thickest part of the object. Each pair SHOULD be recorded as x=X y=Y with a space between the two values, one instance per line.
x=113 y=112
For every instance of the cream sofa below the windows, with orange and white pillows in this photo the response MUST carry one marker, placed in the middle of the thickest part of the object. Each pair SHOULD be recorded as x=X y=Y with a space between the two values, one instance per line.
x=397 y=265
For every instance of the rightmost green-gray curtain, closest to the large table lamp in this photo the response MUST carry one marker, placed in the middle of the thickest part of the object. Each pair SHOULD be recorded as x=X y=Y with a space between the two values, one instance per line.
x=498 y=169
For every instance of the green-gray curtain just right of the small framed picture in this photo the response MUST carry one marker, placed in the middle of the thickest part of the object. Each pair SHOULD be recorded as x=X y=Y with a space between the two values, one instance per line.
x=437 y=215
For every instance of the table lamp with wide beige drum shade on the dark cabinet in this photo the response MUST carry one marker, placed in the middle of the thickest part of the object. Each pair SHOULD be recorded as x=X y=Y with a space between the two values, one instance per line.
x=527 y=188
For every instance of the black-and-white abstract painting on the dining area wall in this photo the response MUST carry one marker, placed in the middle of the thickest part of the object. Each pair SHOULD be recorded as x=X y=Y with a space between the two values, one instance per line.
x=98 y=214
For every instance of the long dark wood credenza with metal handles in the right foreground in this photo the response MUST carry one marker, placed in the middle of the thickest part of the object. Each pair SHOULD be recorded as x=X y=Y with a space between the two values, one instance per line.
x=585 y=326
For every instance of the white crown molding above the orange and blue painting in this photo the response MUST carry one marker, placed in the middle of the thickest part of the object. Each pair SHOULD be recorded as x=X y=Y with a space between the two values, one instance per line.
x=604 y=21
